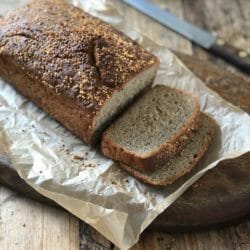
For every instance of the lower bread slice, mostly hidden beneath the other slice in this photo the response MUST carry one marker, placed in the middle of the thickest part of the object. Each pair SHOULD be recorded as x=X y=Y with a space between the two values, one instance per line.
x=181 y=163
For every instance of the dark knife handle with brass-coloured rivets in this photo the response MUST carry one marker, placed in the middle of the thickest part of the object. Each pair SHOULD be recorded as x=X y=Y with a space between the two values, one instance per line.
x=237 y=57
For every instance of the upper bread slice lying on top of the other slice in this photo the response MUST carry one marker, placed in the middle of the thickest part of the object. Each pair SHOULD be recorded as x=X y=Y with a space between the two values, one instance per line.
x=153 y=129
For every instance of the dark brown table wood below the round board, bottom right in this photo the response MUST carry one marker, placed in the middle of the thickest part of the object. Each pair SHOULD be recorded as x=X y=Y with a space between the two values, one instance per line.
x=236 y=237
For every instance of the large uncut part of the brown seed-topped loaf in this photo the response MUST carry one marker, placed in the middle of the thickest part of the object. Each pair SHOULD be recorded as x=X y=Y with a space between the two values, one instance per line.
x=77 y=68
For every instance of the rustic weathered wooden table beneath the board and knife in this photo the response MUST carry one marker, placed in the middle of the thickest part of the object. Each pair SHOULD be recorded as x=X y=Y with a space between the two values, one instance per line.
x=28 y=225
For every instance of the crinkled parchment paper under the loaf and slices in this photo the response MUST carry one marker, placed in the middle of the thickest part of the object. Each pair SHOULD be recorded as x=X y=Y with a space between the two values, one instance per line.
x=79 y=178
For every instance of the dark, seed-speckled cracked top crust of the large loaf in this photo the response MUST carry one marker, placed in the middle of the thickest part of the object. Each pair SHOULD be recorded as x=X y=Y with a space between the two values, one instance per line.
x=77 y=56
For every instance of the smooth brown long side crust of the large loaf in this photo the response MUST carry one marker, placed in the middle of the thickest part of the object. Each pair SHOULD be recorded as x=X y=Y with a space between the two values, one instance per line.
x=63 y=110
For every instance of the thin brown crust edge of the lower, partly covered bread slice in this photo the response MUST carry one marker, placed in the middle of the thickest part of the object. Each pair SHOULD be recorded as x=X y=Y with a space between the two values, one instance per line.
x=140 y=175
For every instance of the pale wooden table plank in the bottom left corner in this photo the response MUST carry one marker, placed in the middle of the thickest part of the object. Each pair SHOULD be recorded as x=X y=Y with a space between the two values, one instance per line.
x=29 y=225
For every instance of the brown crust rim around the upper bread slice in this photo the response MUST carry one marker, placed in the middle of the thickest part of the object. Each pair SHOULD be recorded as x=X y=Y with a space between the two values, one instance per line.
x=156 y=158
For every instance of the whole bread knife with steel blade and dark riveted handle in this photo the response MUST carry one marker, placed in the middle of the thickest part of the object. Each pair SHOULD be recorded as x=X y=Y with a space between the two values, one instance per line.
x=215 y=45
